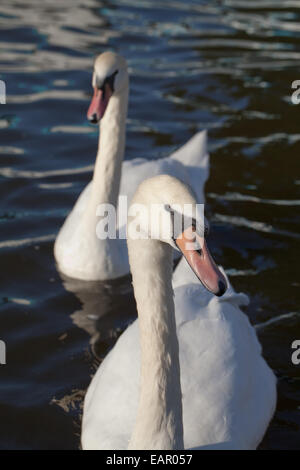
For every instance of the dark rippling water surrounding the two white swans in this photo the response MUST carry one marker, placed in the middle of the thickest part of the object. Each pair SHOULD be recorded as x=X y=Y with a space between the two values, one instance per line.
x=222 y=65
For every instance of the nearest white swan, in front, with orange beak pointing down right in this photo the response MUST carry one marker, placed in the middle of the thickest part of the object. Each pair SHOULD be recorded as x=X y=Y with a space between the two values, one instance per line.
x=221 y=395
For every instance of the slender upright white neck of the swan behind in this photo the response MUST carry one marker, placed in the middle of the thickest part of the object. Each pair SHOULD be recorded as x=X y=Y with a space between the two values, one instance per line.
x=108 y=166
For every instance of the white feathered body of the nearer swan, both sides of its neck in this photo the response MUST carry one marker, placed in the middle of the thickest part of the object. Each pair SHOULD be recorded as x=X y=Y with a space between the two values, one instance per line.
x=228 y=391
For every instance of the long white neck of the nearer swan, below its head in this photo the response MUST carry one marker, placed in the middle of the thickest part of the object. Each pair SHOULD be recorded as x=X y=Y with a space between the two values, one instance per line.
x=159 y=418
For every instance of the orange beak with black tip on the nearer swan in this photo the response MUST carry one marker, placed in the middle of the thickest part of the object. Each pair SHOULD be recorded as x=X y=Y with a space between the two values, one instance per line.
x=196 y=252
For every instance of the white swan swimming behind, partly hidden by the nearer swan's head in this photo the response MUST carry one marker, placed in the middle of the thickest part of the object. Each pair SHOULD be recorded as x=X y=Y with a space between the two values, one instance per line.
x=78 y=251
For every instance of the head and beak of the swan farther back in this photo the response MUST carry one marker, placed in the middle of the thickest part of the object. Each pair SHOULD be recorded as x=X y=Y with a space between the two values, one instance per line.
x=110 y=77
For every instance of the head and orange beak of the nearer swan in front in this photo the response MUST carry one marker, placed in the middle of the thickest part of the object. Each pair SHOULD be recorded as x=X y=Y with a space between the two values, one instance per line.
x=165 y=209
